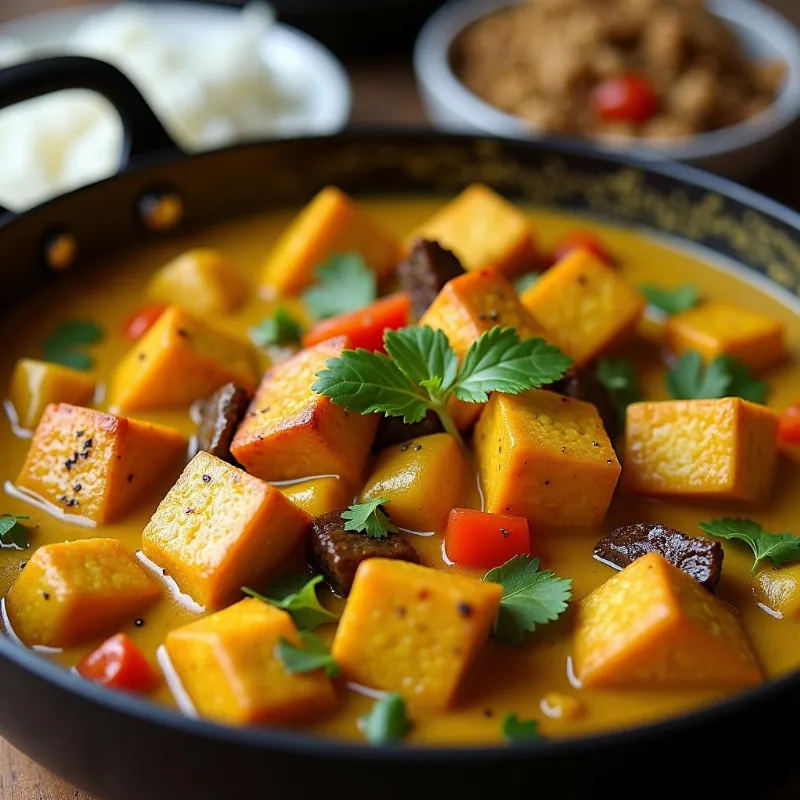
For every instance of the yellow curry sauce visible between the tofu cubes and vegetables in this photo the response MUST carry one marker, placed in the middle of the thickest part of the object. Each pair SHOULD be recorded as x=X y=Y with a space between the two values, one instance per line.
x=505 y=679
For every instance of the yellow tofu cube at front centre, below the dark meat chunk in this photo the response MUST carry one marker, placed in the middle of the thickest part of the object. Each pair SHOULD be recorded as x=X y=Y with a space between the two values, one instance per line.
x=414 y=629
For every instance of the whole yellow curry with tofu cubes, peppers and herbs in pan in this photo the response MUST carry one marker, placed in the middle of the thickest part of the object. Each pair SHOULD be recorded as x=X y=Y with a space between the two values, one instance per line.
x=405 y=469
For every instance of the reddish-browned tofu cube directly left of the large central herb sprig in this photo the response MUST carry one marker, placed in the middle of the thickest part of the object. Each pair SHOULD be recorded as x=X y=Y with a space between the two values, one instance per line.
x=292 y=432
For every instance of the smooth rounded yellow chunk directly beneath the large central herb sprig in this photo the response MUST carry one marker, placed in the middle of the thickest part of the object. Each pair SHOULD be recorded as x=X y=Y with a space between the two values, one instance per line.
x=423 y=478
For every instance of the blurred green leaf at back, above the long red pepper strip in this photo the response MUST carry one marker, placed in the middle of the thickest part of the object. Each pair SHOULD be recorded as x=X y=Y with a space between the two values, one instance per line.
x=344 y=283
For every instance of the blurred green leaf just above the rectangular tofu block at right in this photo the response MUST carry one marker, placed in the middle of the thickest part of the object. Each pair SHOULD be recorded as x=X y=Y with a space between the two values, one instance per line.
x=691 y=379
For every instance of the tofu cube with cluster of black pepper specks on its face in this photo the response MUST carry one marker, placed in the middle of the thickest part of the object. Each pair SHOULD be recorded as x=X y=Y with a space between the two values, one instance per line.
x=98 y=465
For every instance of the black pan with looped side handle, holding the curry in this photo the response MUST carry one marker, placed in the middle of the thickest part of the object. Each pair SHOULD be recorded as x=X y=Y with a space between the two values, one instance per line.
x=122 y=748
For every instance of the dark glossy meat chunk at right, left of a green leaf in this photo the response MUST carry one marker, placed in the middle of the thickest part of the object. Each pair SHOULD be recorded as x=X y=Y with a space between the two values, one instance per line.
x=699 y=557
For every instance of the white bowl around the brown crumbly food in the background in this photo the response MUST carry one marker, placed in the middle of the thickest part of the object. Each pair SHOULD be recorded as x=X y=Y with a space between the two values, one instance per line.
x=739 y=151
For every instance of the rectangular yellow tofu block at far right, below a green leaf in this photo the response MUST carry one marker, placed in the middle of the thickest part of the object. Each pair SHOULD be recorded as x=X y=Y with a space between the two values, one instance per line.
x=723 y=449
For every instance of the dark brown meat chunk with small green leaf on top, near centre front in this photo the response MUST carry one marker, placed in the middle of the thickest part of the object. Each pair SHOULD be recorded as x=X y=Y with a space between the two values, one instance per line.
x=336 y=553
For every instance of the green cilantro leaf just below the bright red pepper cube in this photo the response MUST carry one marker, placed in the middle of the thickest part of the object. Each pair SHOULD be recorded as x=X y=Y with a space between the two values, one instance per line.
x=530 y=597
